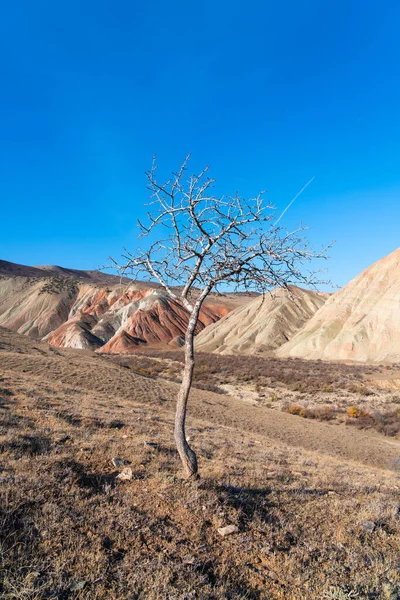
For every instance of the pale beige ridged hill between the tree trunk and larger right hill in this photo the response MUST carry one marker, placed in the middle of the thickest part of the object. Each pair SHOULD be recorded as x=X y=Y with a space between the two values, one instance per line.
x=262 y=325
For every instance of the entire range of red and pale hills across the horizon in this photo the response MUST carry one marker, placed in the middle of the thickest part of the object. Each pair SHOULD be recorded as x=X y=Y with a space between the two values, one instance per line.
x=99 y=311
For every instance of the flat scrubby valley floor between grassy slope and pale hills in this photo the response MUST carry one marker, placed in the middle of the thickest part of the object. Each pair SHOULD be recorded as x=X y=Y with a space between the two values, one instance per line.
x=365 y=396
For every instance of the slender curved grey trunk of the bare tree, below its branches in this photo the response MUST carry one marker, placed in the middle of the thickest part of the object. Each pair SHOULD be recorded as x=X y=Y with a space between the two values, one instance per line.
x=187 y=455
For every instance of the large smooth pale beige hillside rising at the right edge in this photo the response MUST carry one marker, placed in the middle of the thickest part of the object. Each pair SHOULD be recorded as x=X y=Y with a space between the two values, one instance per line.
x=361 y=322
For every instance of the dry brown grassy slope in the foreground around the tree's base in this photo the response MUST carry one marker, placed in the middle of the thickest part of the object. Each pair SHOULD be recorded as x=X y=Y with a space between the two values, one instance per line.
x=316 y=503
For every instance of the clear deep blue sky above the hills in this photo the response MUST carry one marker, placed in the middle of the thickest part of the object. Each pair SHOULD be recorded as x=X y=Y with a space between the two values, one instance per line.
x=269 y=93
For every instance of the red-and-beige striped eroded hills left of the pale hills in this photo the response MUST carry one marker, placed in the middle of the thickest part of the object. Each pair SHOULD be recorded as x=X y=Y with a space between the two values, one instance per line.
x=88 y=309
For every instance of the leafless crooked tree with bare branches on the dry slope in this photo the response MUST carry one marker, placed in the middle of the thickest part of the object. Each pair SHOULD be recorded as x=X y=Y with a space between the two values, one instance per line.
x=202 y=241
